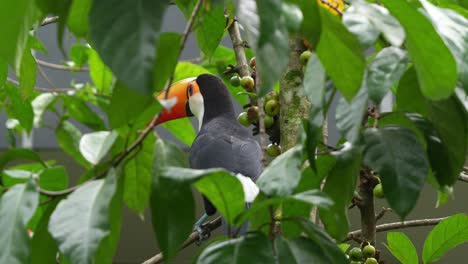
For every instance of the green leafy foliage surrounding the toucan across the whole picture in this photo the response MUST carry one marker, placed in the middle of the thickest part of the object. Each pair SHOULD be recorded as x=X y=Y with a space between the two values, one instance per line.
x=415 y=50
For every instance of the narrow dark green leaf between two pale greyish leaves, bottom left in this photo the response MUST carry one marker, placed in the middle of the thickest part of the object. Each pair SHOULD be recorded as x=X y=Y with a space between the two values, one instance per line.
x=43 y=247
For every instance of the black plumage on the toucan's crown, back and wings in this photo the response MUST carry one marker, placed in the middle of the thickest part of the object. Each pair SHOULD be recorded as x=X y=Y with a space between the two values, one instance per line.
x=222 y=142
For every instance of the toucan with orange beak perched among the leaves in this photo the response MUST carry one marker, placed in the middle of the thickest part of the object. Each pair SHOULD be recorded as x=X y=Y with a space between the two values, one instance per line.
x=221 y=141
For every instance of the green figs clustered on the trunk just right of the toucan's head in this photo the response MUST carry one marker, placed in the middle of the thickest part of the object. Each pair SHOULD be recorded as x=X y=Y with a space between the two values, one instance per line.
x=251 y=114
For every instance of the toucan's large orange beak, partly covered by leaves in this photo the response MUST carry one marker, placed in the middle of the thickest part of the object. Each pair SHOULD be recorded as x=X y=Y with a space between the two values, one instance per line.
x=181 y=92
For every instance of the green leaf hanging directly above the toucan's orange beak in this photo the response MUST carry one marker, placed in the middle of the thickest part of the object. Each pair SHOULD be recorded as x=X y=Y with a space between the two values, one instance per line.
x=166 y=58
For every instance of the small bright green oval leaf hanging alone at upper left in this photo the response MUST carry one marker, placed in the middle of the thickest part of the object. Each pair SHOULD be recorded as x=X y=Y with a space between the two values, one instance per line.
x=27 y=72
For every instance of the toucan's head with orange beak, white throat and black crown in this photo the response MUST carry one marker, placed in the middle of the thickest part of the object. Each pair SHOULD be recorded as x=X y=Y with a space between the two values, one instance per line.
x=204 y=97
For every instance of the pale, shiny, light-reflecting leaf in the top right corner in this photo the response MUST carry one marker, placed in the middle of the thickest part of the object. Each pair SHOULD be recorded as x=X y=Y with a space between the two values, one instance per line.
x=453 y=28
